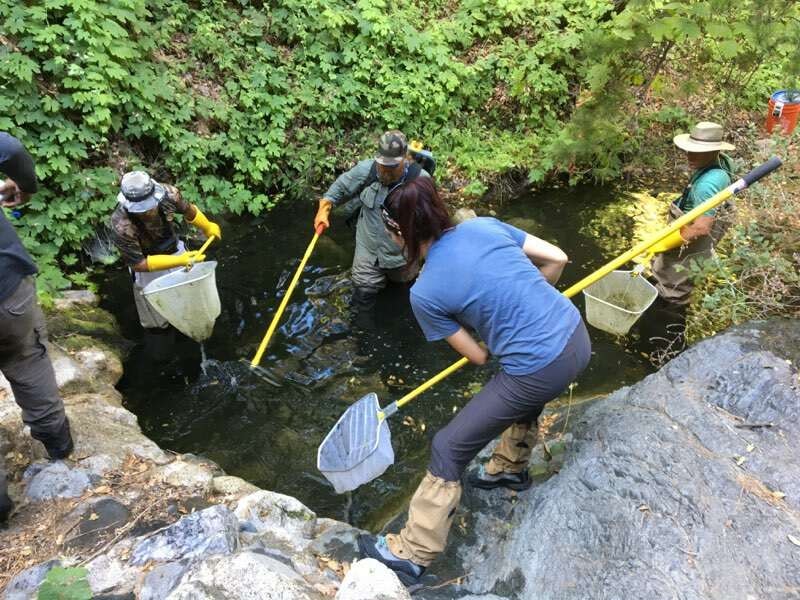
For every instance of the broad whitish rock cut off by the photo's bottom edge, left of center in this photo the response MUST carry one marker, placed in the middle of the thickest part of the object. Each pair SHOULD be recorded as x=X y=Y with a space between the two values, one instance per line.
x=244 y=576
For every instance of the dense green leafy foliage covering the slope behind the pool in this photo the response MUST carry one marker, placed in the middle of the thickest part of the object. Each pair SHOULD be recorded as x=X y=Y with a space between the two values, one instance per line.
x=241 y=103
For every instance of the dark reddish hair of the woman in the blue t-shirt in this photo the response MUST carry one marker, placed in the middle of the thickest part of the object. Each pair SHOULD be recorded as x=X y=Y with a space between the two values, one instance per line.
x=420 y=213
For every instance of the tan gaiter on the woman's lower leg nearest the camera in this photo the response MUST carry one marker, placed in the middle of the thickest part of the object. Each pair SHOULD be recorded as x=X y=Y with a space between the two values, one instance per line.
x=430 y=516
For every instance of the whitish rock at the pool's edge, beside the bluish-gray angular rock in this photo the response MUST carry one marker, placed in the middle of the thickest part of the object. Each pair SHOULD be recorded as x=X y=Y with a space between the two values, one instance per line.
x=282 y=517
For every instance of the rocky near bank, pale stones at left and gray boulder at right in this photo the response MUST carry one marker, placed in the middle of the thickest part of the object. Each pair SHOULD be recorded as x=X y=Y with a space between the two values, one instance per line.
x=685 y=485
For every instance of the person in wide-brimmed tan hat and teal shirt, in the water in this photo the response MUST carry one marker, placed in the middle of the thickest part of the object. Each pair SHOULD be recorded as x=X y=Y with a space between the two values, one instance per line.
x=711 y=173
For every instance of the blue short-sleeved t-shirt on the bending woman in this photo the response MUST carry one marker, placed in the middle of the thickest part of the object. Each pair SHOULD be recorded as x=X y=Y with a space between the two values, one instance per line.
x=476 y=275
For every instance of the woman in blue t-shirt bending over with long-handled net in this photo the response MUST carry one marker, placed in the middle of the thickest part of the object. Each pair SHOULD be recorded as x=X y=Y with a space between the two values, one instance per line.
x=488 y=277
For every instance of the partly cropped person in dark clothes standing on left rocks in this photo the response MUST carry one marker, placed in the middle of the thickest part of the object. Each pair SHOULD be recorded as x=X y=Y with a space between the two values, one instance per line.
x=23 y=354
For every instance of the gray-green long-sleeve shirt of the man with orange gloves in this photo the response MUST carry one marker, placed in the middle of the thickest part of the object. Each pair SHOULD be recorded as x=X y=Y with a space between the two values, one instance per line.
x=371 y=236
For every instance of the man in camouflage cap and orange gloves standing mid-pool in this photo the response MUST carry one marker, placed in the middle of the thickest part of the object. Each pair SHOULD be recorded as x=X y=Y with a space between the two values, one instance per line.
x=376 y=259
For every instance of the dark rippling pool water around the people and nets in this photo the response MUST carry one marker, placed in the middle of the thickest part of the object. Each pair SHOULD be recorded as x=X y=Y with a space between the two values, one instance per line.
x=269 y=435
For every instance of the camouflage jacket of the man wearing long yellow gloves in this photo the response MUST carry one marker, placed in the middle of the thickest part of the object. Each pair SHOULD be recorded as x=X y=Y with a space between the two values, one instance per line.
x=137 y=238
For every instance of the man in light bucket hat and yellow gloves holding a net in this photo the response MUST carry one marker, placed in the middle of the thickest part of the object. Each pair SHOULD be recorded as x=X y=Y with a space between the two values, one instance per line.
x=143 y=229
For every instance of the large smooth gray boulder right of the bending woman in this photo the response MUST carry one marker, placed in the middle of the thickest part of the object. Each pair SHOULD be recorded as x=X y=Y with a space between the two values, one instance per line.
x=672 y=488
